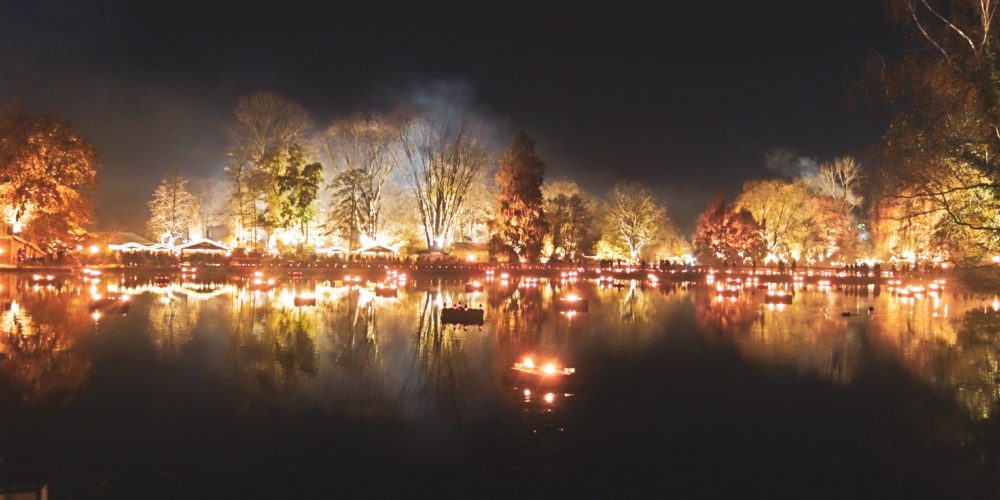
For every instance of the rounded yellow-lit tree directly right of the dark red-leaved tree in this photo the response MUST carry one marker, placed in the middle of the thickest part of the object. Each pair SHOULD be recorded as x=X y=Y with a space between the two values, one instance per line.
x=782 y=211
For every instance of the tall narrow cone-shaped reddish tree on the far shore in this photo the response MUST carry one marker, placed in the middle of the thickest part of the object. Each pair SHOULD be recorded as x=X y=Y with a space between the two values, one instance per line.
x=520 y=223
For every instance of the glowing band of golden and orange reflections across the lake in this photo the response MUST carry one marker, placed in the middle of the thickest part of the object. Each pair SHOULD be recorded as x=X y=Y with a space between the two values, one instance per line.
x=354 y=351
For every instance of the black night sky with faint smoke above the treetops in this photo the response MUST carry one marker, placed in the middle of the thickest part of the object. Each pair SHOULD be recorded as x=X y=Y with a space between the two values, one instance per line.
x=687 y=98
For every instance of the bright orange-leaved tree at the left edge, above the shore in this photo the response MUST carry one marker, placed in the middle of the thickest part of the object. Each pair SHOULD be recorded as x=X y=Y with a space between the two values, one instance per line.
x=46 y=168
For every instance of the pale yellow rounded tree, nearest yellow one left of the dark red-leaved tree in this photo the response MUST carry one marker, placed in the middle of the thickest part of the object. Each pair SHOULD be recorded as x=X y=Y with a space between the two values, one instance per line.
x=634 y=217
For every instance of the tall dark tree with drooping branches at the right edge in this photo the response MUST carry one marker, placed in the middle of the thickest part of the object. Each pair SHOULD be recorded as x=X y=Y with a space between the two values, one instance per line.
x=941 y=146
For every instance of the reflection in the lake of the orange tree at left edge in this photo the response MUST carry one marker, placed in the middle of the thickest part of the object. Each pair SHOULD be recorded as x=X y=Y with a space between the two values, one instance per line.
x=37 y=342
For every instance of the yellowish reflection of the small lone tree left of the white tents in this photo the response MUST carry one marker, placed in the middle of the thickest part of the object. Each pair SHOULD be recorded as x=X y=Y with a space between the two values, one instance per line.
x=171 y=324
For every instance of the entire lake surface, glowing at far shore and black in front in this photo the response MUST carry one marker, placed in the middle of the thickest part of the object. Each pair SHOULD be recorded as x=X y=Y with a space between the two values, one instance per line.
x=217 y=390
